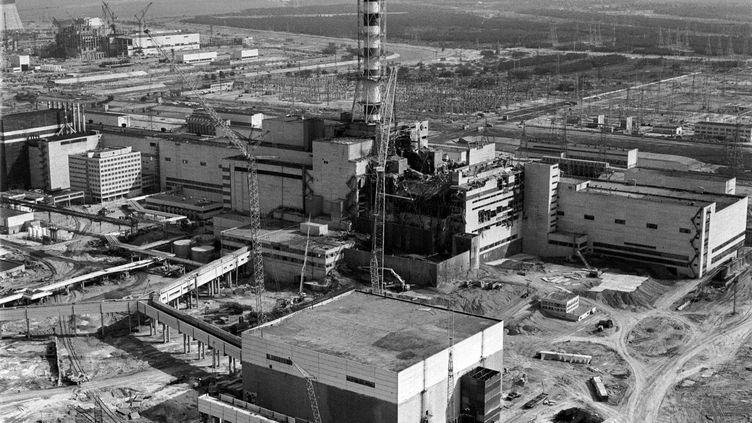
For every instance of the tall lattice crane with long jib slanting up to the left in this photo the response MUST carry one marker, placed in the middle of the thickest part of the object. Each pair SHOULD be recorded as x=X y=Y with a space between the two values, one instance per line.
x=255 y=209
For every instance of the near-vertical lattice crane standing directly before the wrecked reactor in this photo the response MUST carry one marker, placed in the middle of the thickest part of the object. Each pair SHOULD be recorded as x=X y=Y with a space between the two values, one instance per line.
x=379 y=211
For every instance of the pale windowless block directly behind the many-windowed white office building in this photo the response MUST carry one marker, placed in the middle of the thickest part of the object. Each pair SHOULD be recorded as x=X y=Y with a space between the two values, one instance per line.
x=48 y=158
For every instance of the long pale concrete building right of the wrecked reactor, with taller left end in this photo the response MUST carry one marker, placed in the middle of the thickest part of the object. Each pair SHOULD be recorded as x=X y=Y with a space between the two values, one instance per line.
x=689 y=232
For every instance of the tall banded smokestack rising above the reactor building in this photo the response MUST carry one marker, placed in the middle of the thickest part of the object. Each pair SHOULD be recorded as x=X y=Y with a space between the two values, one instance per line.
x=371 y=33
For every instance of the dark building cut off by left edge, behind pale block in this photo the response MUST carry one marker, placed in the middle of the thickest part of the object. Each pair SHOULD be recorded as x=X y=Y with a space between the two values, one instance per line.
x=15 y=130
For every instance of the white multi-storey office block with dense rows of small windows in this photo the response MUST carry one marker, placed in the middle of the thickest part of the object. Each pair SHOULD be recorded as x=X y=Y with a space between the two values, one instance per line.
x=106 y=174
